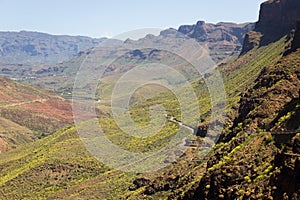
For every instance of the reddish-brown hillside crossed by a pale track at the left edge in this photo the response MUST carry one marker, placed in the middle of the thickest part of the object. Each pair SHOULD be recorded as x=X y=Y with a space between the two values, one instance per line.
x=27 y=113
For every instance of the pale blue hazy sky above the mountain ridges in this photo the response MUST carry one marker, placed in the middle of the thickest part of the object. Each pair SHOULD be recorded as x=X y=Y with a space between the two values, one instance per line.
x=107 y=18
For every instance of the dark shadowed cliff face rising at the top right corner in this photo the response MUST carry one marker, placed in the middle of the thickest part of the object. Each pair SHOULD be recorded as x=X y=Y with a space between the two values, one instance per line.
x=276 y=19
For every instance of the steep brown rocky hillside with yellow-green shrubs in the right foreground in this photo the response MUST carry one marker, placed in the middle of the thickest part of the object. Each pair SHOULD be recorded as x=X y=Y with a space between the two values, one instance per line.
x=260 y=166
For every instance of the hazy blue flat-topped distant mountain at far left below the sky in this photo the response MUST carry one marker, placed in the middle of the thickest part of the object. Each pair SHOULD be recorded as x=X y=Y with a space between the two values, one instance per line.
x=36 y=48
